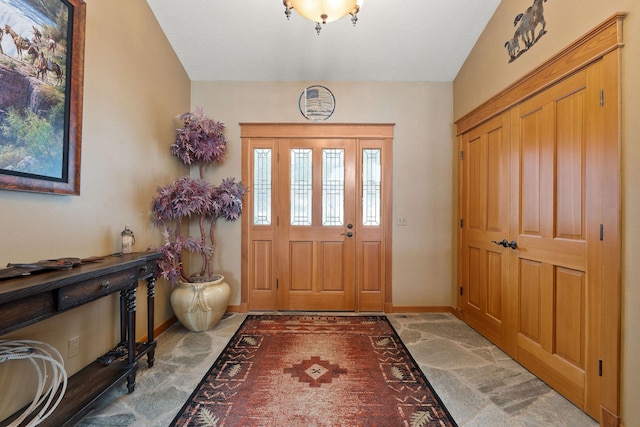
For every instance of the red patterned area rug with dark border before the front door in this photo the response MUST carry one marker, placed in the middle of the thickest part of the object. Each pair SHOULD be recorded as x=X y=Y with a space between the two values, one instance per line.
x=281 y=370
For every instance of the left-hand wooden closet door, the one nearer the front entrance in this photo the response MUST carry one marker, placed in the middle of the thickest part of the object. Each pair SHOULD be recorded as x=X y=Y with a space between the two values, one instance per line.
x=485 y=228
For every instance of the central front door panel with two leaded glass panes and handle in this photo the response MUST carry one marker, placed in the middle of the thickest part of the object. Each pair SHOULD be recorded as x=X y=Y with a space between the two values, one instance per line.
x=317 y=224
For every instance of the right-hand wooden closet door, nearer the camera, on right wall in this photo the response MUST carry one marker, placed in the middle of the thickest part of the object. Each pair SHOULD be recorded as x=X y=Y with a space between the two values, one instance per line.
x=553 y=291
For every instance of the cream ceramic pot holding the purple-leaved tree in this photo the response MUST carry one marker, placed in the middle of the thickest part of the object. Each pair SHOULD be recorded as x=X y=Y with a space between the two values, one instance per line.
x=200 y=306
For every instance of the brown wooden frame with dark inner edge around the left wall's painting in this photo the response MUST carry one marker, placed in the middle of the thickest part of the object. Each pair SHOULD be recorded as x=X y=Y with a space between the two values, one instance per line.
x=69 y=181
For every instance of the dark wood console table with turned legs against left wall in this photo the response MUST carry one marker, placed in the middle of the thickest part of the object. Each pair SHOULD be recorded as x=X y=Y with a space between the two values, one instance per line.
x=30 y=299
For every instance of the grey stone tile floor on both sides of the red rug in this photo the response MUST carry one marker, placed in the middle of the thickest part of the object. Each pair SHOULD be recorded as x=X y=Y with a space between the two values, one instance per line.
x=479 y=384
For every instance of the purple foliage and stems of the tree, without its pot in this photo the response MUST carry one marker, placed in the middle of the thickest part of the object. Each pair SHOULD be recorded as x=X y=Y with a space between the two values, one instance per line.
x=201 y=142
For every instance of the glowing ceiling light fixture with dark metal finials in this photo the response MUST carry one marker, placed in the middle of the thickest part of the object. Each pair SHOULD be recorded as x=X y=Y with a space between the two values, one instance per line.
x=323 y=11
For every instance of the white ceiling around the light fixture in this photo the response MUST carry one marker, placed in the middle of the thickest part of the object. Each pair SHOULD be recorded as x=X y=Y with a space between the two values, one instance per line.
x=251 y=40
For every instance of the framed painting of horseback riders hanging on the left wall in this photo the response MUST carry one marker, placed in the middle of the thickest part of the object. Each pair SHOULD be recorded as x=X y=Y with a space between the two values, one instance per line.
x=41 y=82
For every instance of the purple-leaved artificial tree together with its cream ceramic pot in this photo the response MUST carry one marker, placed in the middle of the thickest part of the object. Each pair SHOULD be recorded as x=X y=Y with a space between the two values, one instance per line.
x=199 y=299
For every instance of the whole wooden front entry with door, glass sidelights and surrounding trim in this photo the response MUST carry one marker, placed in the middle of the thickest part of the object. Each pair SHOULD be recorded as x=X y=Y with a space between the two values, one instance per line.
x=317 y=218
